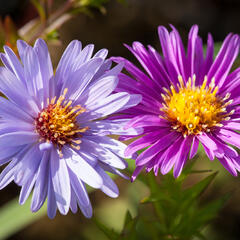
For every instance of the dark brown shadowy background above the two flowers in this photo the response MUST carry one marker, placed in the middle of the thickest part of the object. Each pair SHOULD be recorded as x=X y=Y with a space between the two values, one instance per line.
x=139 y=19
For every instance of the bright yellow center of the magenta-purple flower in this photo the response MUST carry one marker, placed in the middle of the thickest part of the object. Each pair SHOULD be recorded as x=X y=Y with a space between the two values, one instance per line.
x=194 y=109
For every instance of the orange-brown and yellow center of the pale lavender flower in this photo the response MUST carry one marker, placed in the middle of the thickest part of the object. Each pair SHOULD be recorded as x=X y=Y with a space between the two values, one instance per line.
x=57 y=123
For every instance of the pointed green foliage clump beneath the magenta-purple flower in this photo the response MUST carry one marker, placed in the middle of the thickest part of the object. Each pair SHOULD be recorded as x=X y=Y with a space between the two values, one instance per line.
x=171 y=211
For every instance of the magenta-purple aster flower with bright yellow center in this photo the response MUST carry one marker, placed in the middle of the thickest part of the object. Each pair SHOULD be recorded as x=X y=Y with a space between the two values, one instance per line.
x=187 y=98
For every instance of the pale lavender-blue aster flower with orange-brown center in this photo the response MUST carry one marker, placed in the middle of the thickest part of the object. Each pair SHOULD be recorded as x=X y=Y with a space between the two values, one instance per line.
x=52 y=127
